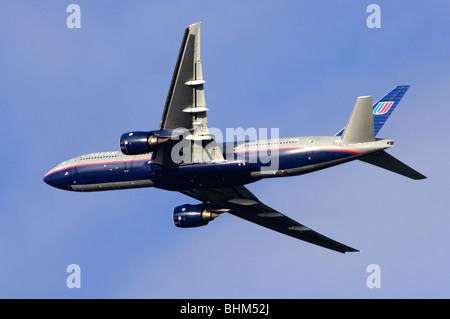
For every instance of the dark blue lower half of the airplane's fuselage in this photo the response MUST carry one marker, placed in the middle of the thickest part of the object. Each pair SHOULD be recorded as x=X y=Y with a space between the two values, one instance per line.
x=189 y=176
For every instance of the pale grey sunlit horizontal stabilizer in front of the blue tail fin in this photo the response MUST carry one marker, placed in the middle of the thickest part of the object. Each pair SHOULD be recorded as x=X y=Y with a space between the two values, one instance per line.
x=360 y=126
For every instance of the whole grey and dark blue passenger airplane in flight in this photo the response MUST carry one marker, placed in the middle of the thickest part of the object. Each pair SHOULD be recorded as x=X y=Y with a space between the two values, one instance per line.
x=183 y=155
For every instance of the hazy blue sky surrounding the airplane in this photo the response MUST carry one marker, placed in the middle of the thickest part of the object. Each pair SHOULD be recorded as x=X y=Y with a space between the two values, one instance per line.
x=294 y=65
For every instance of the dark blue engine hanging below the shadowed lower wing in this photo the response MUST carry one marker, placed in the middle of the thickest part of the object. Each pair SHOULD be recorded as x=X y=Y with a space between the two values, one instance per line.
x=192 y=216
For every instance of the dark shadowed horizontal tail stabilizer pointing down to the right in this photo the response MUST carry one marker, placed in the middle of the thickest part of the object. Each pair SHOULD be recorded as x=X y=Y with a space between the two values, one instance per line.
x=386 y=161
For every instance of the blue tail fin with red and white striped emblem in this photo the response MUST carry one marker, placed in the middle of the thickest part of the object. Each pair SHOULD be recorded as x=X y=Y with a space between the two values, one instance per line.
x=384 y=108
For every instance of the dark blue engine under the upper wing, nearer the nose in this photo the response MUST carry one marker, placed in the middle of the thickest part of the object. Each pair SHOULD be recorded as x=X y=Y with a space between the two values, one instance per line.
x=135 y=143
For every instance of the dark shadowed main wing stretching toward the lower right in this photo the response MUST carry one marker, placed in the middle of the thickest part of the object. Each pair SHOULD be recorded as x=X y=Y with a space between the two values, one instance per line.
x=239 y=201
